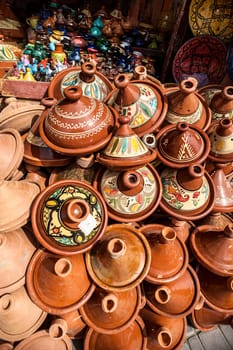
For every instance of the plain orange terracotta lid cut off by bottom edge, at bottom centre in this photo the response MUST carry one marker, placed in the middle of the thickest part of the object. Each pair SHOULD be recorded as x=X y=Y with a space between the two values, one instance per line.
x=133 y=337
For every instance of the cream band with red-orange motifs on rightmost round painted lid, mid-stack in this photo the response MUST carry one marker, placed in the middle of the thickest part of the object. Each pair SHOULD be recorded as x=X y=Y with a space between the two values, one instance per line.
x=178 y=197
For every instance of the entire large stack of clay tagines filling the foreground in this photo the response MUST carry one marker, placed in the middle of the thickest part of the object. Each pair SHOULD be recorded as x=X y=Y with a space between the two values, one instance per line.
x=108 y=229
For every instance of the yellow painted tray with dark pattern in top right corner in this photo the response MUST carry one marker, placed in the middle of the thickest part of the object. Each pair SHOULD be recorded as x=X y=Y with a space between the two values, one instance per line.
x=213 y=17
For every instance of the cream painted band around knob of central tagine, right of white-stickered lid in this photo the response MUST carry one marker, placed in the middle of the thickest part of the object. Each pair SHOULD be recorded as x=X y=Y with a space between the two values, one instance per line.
x=126 y=204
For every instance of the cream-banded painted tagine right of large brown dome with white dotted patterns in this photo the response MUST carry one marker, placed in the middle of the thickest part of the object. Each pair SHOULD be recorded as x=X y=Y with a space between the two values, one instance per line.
x=142 y=101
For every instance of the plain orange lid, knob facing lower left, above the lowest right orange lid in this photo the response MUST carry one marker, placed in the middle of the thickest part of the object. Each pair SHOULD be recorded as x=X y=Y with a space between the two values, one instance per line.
x=176 y=298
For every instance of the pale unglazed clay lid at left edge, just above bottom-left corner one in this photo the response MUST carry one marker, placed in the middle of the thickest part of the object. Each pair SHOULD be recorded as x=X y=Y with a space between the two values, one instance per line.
x=18 y=305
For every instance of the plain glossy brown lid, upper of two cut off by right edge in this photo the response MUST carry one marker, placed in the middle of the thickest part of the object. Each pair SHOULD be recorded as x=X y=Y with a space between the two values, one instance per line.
x=213 y=248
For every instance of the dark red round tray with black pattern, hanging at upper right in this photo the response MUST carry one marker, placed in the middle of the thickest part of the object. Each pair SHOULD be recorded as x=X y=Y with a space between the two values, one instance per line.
x=203 y=58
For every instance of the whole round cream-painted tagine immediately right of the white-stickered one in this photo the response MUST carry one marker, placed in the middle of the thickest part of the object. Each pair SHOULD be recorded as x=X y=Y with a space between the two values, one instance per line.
x=129 y=195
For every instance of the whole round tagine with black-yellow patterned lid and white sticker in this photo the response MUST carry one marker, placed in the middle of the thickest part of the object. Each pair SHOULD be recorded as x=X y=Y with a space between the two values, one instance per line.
x=68 y=217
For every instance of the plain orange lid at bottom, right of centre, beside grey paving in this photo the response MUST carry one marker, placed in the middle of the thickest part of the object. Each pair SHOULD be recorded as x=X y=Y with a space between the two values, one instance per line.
x=164 y=332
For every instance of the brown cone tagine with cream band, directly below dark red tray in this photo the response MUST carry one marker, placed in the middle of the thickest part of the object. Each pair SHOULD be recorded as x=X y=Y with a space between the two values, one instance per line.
x=187 y=105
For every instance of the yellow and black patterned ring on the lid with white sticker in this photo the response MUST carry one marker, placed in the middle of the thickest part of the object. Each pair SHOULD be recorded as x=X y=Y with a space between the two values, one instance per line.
x=52 y=221
